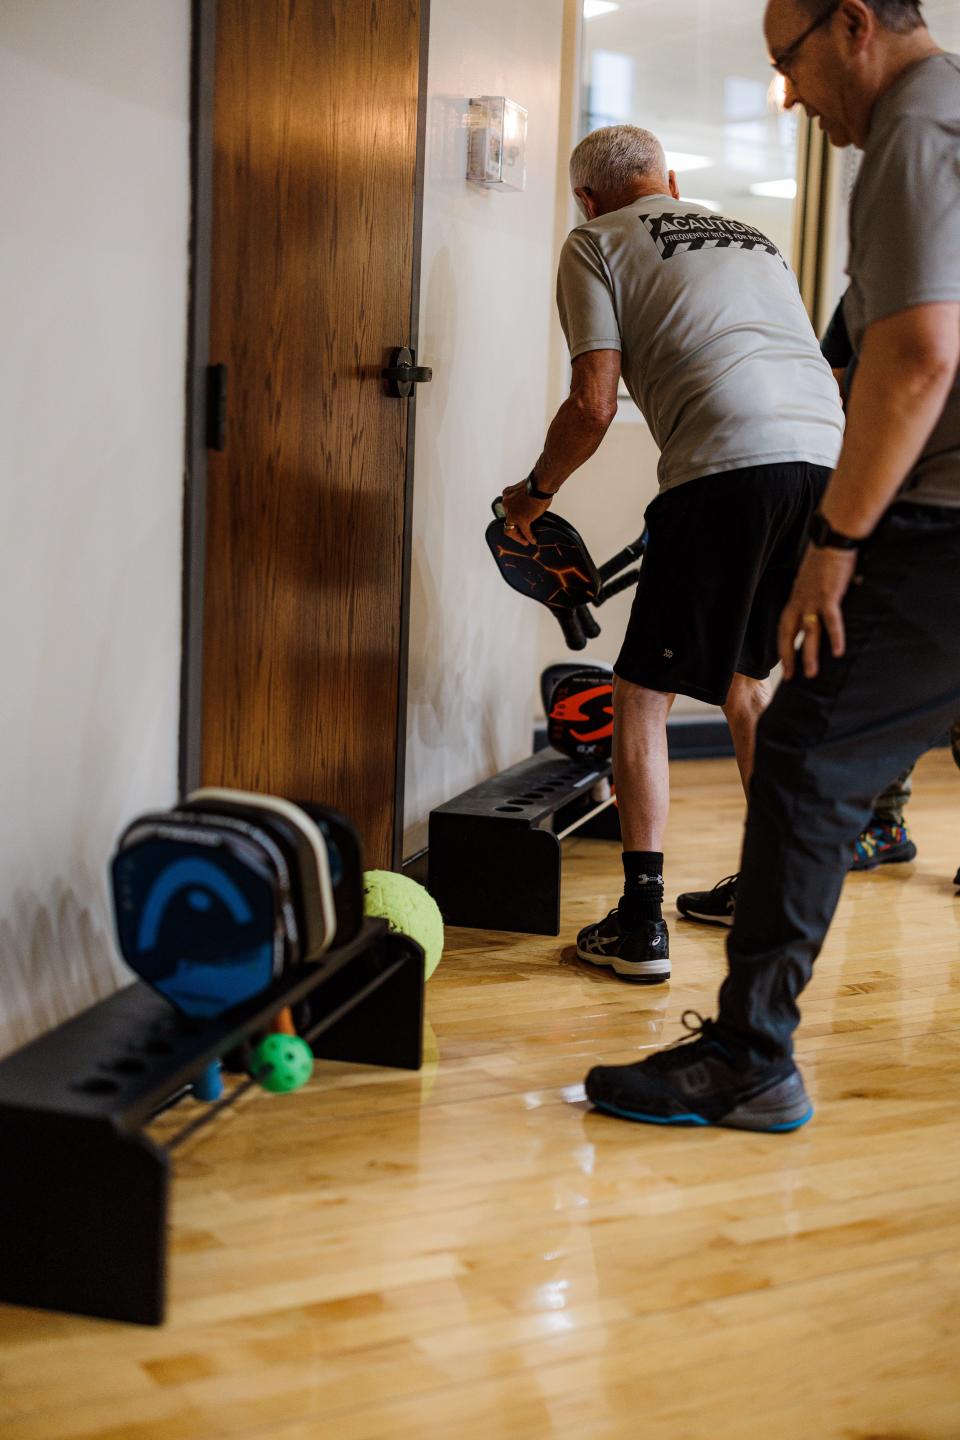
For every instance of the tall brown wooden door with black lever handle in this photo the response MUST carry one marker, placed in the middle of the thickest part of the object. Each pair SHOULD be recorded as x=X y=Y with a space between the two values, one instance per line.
x=313 y=258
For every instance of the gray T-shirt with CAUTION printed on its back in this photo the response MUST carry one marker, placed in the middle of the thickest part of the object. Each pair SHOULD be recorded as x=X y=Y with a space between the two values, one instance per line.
x=717 y=349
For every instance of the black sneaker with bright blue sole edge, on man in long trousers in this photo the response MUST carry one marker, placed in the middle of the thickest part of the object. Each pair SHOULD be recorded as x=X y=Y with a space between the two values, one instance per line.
x=703 y=1082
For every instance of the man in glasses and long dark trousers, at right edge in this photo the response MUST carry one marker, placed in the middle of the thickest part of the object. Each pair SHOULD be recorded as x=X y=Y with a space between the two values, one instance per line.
x=877 y=679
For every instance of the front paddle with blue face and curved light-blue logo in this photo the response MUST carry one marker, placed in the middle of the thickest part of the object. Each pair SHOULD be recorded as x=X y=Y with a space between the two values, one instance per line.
x=198 y=922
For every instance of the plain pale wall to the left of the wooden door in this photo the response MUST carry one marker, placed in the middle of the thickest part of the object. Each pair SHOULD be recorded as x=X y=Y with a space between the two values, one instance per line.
x=94 y=220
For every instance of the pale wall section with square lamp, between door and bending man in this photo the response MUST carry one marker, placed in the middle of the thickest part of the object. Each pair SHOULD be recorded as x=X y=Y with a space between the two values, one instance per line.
x=486 y=328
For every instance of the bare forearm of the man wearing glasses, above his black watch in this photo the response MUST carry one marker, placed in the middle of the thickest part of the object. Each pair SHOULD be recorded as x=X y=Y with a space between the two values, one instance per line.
x=893 y=408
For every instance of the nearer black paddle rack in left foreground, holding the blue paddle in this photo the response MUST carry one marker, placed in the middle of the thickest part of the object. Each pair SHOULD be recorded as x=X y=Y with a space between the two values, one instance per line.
x=86 y=1192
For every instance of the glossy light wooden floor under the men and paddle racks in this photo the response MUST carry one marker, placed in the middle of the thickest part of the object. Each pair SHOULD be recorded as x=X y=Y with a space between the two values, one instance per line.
x=471 y=1254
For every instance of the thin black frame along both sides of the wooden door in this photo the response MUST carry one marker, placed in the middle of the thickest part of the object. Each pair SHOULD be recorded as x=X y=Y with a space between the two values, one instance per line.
x=195 y=492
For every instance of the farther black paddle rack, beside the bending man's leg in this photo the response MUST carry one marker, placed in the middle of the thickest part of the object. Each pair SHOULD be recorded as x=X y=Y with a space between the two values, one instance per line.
x=494 y=852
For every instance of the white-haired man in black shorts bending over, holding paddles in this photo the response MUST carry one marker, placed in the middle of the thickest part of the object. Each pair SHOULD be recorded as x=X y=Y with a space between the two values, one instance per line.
x=703 y=319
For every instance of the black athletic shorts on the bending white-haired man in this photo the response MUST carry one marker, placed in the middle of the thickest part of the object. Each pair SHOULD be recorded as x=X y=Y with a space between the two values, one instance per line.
x=719 y=568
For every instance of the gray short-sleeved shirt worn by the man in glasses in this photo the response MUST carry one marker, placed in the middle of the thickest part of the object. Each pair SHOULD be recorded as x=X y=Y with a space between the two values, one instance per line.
x=906 y=235
